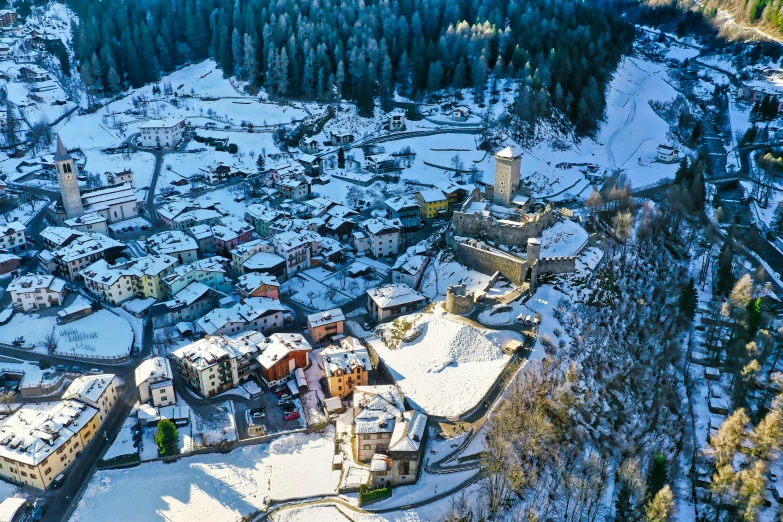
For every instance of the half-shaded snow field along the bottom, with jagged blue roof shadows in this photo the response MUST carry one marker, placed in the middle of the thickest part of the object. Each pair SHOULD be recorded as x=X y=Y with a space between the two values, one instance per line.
x=213 y=486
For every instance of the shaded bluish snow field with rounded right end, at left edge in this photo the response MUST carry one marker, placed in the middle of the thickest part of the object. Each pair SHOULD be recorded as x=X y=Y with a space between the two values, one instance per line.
x=101 y=334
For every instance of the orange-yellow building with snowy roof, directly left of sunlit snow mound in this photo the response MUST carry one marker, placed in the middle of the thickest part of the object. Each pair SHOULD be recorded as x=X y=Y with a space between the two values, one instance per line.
x=346 y=366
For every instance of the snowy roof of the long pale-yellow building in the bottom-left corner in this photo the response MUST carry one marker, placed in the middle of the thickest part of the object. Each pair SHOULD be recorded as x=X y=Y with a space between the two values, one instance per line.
x=32 y=435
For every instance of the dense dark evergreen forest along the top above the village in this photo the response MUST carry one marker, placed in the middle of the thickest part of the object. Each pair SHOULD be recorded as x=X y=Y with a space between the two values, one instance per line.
x=564 y=51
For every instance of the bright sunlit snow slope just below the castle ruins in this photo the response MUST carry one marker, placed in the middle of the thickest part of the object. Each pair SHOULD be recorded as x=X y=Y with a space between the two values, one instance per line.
x=449 y=366
